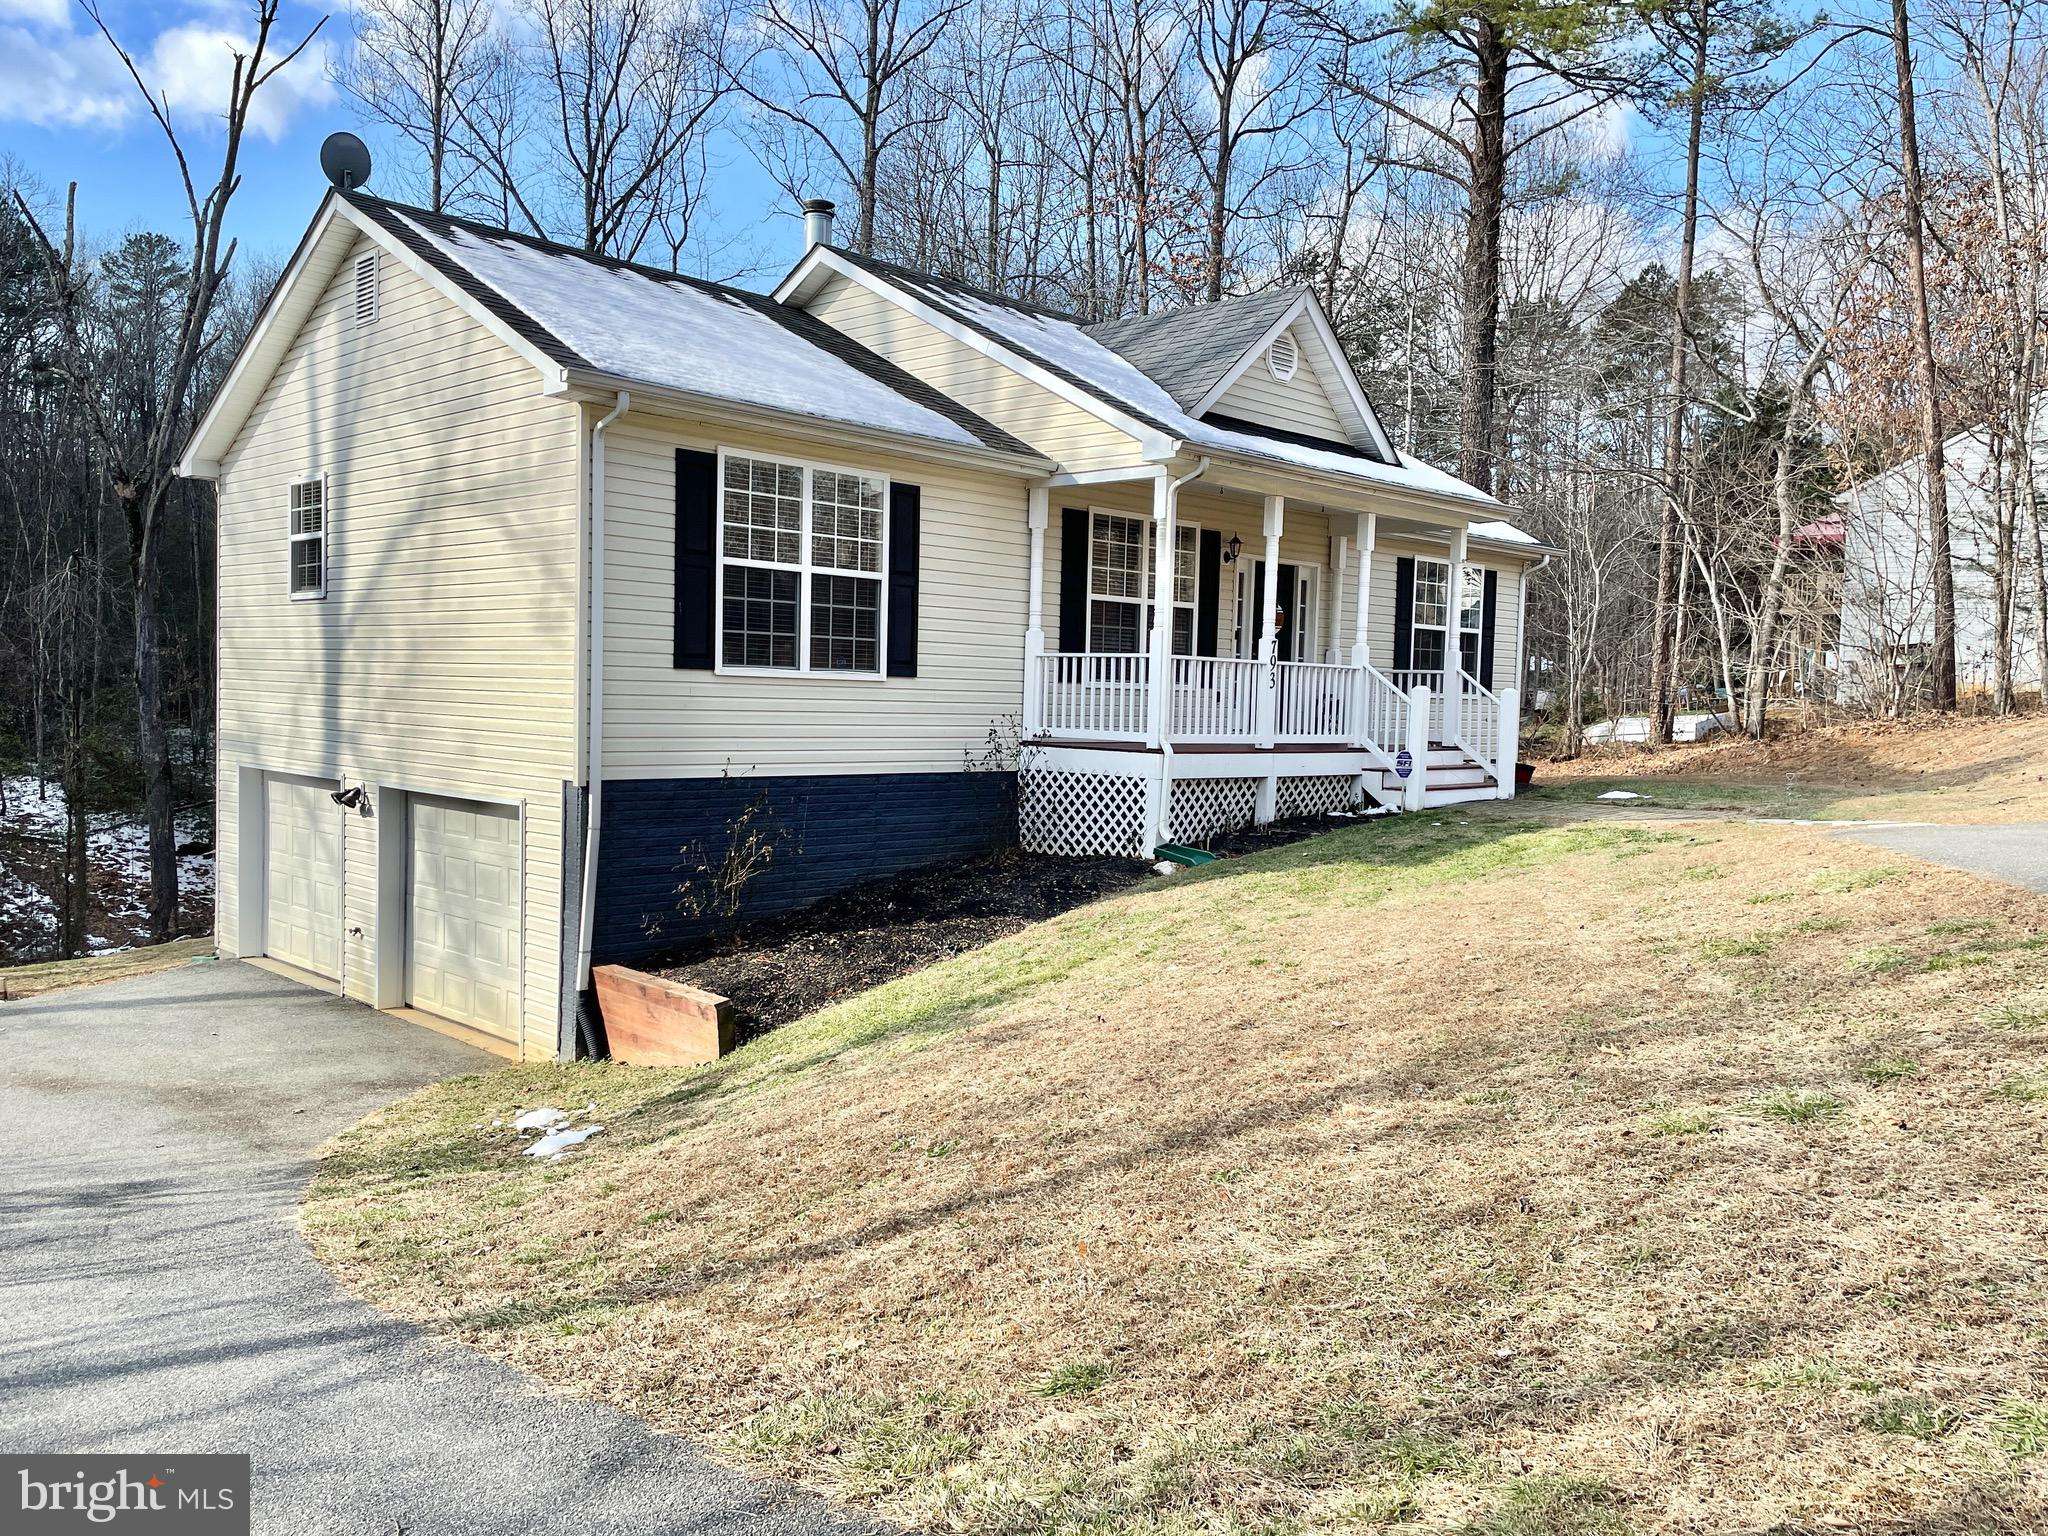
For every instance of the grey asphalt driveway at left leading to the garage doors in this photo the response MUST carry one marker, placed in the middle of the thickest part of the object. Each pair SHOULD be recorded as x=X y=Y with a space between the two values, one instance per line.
x=155 y=1295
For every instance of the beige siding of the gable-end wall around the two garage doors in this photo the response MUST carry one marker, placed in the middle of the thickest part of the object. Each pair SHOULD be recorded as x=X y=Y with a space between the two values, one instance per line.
x=443 y=656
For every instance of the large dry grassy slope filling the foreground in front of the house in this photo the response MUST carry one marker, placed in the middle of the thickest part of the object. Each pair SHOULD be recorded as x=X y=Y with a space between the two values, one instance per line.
x=1447 y=1172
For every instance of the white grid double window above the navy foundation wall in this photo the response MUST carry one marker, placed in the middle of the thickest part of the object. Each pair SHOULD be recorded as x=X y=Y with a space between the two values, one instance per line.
x=802 y=558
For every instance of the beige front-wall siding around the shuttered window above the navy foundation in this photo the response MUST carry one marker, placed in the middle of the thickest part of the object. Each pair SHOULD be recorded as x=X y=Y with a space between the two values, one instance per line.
x=663 y=722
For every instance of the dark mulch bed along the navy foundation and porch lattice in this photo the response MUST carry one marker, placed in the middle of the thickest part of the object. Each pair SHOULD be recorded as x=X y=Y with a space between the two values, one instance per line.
x=783 y=968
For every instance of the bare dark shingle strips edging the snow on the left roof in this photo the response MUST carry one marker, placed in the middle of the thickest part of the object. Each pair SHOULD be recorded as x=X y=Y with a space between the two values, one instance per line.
x=527 y=329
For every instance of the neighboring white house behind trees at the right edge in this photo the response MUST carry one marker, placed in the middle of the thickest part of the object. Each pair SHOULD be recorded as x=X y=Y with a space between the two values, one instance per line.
x=1887 y=577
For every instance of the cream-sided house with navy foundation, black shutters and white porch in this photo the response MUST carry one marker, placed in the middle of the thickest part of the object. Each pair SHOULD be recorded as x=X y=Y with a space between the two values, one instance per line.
x=540 y=572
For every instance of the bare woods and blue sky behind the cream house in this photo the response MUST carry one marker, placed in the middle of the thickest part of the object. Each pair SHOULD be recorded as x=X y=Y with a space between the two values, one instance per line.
x=1666 y=278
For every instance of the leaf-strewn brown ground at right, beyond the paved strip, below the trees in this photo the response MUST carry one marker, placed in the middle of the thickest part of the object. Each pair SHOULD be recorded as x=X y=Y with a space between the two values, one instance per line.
x=1926 y=769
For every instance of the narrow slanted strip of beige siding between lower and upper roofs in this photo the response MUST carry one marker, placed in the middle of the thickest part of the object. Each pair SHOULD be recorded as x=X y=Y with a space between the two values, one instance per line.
x=1058 y=429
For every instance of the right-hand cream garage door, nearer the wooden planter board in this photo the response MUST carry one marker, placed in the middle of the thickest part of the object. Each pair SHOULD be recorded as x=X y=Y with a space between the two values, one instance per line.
x=464 y=925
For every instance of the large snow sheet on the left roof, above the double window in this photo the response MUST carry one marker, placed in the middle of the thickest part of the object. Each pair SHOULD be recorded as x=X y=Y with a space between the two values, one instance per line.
x=685 y=337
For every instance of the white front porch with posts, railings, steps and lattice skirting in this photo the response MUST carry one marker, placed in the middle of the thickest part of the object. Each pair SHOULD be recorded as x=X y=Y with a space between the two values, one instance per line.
x=1125 y=751
